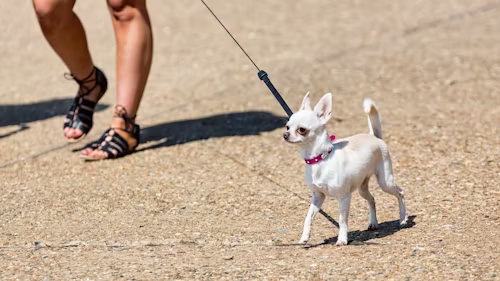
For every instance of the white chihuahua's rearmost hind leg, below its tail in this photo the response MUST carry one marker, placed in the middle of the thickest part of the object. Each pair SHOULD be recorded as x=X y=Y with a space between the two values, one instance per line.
x=385 y=178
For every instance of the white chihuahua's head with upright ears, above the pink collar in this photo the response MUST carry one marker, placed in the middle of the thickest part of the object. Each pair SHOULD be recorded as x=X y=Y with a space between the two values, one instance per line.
x=305 y=124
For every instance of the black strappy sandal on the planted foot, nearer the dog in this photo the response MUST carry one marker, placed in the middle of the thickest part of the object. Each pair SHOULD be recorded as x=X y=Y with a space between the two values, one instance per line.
x=114 y=144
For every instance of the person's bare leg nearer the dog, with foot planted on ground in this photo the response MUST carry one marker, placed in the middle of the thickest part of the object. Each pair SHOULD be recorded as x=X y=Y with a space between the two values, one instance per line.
x=134 y=42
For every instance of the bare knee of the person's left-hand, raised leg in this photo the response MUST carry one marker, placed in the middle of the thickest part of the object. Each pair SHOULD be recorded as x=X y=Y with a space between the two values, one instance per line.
x=51 y=13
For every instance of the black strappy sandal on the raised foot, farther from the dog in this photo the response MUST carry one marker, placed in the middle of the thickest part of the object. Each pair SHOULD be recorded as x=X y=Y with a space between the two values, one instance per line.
x=82 y=110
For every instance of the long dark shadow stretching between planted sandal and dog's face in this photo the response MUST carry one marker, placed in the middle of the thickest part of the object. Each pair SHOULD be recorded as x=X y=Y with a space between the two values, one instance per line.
x=225 y=125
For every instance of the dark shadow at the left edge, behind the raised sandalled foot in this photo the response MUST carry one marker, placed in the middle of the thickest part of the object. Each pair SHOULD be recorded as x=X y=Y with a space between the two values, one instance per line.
x=20 y=114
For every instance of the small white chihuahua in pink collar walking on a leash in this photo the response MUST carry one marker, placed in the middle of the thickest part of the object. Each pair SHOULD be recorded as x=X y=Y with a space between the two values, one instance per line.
x=337 y=168
